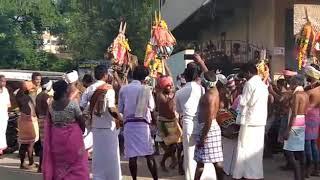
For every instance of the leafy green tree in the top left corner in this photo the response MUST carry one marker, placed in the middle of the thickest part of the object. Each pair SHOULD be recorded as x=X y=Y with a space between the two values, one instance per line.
x=21 y=26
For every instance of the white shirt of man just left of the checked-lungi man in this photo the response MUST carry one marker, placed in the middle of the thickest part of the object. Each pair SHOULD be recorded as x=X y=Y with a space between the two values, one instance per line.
x=187 y=101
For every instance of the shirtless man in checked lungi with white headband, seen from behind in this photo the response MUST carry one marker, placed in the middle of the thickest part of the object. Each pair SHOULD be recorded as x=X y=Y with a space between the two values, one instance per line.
x=209 y=146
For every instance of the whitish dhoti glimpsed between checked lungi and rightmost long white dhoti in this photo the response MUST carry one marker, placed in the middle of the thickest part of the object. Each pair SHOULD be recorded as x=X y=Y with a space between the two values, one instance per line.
x=229 y=154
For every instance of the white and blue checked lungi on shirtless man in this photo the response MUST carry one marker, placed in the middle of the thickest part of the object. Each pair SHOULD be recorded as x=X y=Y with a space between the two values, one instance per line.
x=211 y=152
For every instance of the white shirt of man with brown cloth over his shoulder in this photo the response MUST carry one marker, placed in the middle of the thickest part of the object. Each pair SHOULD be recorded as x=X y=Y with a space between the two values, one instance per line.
x=105 y=120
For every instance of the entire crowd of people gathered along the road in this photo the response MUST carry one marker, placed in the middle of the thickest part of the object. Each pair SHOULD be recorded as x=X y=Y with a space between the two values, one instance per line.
x=187 y=121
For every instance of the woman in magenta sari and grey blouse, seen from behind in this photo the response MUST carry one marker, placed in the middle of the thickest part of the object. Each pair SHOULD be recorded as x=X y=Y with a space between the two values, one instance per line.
x=65 y=157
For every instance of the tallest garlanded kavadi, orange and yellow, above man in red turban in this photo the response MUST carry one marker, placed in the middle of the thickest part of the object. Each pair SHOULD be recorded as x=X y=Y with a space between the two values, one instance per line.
x=159 y=47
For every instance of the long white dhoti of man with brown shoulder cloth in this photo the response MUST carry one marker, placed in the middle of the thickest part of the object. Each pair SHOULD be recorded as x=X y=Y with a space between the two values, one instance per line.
x=106 y=155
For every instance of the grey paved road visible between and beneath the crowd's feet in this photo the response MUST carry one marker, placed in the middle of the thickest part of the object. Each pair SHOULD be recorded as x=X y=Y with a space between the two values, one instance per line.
x=9 y=170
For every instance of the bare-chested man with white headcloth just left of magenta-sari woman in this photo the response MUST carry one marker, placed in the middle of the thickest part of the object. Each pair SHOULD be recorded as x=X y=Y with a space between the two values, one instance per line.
x=43 y=101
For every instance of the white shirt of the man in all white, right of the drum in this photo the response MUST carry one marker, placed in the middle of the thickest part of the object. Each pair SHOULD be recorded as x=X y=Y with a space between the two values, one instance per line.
x=254 y=102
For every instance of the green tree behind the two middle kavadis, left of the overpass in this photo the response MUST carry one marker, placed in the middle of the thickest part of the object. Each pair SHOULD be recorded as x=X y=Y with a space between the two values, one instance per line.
x=92 y=25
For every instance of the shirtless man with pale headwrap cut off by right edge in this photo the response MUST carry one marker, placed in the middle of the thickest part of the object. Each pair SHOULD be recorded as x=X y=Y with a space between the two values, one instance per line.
x=312 y=121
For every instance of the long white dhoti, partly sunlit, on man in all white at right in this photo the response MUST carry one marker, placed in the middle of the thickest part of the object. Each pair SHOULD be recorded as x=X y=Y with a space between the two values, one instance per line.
x=249 y=158
